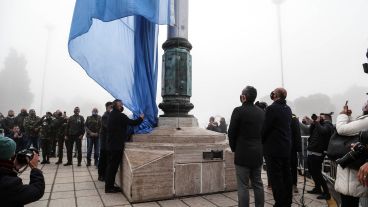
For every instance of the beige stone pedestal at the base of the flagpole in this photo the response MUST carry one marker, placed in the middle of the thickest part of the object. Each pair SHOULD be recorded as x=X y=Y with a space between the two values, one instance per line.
x=170 y=162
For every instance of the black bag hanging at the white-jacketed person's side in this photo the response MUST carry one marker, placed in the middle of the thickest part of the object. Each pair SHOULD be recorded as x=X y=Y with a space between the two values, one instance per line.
x=340 y=145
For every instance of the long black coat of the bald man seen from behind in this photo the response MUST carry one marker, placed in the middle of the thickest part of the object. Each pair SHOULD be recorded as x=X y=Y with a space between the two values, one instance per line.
x=276 y=132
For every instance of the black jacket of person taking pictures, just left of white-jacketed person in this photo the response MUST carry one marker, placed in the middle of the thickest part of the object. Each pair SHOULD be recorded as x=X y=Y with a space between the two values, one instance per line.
x=320 y=134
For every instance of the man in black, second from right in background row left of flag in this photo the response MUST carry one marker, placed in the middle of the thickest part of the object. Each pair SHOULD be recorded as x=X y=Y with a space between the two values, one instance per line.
x=74 y=133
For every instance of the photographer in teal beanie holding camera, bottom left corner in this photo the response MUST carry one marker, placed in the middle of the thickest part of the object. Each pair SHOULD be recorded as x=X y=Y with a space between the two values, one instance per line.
x=12 y=190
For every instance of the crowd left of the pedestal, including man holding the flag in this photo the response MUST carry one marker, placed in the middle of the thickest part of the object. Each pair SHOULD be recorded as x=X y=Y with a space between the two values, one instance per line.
x=106 y=136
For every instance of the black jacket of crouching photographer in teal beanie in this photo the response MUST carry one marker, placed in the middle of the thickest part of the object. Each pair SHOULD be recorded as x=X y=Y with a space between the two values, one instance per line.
x=12 y=190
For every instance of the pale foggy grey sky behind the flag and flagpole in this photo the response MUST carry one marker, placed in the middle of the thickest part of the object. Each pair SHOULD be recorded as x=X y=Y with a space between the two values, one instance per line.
x=235 y=43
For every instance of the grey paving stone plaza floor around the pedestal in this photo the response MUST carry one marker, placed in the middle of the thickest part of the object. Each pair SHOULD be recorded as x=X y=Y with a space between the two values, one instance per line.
x=68 y=186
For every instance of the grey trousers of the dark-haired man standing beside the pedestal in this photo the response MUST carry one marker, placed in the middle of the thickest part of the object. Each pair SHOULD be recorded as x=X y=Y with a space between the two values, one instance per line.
x=243 y=175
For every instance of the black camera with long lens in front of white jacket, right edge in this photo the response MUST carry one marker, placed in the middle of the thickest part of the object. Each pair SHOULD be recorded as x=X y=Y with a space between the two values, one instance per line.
x=359 y=151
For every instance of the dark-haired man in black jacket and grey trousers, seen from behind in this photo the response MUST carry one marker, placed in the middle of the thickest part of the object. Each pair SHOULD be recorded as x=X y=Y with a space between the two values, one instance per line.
x=246 y=141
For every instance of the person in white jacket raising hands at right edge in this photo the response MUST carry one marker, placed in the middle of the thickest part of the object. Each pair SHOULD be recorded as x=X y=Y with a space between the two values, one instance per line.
x=347 y=183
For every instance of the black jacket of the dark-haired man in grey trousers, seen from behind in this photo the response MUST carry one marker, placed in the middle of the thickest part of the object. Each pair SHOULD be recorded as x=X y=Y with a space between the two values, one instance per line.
x=245 y=135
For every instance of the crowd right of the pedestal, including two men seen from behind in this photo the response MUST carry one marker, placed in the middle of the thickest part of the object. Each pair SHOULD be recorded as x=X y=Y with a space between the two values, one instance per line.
x=259 y=133
